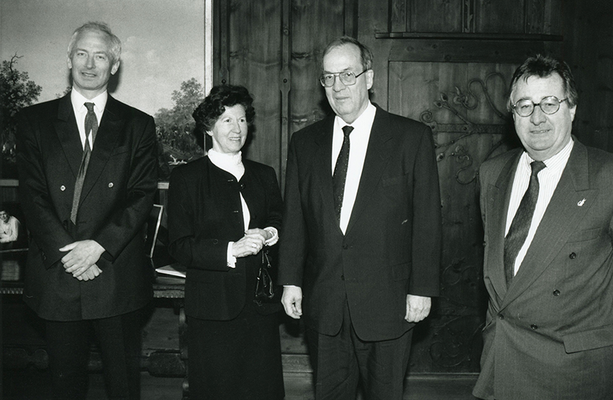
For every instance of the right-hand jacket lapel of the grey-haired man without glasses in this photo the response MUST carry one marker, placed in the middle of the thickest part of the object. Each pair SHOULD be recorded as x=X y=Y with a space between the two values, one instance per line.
x=109 y=131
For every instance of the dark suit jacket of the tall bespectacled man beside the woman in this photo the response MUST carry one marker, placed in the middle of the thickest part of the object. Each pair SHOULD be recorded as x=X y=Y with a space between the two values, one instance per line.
x=392 y=244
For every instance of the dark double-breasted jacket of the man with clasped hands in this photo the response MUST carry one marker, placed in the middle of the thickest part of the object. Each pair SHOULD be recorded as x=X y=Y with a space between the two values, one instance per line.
x=117 y=197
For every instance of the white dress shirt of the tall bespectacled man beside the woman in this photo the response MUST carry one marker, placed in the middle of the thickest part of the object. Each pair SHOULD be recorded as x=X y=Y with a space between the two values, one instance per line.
x=357 y=153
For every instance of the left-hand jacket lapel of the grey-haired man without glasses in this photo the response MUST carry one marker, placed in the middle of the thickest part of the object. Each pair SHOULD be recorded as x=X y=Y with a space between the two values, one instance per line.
x=68 y=134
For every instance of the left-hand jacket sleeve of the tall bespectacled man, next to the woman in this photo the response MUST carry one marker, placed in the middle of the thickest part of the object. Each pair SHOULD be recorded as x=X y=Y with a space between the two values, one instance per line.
x=292 y=243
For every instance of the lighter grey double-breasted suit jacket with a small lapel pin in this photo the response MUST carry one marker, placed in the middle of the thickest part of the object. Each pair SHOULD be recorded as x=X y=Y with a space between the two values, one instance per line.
x=550 y=334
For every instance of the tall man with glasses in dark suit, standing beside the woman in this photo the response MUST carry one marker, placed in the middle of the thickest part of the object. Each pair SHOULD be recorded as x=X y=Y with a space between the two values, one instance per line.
x=360 y=243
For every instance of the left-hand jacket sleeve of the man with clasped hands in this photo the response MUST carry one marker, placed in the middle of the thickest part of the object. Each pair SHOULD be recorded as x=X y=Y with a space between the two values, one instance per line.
x=43 y=222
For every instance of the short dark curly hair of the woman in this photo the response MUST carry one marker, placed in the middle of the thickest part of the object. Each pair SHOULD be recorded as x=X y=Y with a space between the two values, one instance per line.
x=214 y=105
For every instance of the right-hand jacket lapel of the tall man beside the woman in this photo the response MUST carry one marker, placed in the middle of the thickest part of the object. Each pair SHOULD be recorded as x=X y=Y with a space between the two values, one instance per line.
x=379 y=147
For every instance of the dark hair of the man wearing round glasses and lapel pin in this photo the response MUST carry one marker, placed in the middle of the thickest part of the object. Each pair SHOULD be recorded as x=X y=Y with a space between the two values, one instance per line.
x=544 y=67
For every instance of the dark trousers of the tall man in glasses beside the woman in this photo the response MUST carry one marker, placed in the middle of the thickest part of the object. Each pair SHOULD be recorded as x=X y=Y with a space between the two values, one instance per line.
x=342 y=361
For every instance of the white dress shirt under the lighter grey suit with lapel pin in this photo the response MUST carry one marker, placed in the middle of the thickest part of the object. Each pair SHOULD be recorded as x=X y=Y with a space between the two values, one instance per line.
x=548 y=181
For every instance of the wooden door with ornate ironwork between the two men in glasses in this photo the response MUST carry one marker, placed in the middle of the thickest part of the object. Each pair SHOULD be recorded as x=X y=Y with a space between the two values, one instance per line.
x=448 y=64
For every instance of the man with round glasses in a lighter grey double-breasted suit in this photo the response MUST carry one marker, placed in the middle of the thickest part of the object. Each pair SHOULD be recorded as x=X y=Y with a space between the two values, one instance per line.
x=548 y=220
